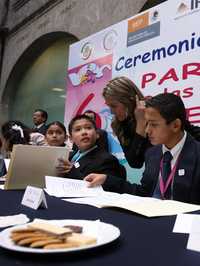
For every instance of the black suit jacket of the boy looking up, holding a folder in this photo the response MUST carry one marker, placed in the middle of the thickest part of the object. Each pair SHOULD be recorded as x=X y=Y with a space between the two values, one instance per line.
x=97 y=161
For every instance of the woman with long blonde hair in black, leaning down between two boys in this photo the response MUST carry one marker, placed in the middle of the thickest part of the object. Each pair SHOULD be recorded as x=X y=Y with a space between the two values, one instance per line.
x=127 y=104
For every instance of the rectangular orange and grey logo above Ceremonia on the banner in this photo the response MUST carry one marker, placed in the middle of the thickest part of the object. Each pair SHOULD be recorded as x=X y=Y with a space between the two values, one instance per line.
x=140 y=29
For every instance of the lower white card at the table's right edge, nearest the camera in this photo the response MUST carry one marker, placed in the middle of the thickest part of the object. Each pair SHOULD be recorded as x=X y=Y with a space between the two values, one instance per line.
x=194 y=237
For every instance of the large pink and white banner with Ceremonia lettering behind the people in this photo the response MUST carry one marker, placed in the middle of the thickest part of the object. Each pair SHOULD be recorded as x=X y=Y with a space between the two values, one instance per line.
x=158 y=49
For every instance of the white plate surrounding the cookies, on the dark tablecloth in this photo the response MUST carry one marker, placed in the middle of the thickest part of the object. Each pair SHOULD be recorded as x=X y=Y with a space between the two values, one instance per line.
x=105 y=233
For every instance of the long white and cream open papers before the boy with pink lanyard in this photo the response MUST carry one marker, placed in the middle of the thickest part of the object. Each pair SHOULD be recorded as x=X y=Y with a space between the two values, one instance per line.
x=149 y=207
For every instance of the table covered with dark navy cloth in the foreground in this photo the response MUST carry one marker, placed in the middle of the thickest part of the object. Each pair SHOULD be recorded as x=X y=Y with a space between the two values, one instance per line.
x=143 y=241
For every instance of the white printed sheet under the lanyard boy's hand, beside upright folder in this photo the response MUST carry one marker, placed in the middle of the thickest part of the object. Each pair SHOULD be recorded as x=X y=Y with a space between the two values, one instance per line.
x=66 y=187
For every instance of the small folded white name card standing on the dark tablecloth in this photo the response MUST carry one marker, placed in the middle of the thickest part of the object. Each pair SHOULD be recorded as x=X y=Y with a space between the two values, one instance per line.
x=34 y=198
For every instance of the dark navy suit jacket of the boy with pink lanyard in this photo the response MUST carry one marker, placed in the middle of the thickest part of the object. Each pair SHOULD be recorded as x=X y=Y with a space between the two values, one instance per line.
x=185 y=188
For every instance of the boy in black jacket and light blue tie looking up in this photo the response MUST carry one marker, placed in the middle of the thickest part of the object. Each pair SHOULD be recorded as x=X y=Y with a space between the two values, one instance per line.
x=90 y=158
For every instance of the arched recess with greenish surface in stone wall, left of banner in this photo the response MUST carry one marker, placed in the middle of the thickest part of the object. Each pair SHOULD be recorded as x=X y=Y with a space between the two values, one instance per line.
x=38 y=79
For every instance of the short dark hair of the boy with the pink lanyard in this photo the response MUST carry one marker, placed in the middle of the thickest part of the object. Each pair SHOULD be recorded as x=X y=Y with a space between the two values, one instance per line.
x=170 y=107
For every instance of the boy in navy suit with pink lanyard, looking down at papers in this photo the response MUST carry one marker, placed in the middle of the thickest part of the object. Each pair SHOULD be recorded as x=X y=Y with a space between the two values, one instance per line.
x=172 y=166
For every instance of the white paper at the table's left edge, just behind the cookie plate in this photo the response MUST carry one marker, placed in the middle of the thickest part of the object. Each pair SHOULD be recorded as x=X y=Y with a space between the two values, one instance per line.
x=13 y=220
